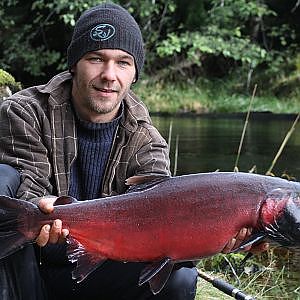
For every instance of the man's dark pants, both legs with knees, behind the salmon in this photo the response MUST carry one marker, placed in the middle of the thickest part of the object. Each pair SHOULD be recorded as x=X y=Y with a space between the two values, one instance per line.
x=21 y=273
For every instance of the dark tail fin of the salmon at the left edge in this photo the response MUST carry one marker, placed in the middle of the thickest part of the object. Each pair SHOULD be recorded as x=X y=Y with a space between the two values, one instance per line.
x=14 y=216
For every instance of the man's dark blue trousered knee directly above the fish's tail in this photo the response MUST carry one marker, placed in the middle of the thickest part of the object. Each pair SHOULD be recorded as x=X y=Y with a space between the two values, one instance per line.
x=9 y=180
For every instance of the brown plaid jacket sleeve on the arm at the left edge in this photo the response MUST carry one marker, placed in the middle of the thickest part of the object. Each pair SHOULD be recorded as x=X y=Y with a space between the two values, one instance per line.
x=25 y=144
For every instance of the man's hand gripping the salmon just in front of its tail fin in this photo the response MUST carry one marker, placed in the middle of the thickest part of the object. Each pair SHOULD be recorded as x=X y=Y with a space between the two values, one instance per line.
x=50 y=234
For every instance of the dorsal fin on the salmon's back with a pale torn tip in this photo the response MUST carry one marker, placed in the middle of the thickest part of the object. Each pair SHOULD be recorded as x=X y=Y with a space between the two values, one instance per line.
x=140 y=183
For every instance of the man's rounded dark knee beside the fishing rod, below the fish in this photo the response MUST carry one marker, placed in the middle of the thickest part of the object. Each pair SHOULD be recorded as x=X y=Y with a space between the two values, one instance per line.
x=181 y=285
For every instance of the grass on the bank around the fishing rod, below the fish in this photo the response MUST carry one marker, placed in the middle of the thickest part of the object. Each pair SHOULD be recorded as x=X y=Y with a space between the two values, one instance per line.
x=272 y=278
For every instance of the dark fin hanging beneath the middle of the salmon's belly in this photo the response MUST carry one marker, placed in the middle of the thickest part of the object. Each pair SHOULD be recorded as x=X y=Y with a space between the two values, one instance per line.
x=157 y=274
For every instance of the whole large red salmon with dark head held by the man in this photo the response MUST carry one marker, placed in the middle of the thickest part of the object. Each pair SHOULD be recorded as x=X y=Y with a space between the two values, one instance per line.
x=164 y=221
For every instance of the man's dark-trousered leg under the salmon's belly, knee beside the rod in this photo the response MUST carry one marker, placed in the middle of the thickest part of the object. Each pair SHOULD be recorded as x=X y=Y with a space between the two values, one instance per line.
x=117 y=281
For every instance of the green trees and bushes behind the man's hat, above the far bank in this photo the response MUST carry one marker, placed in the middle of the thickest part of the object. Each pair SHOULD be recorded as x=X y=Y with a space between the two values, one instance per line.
x=211 y=38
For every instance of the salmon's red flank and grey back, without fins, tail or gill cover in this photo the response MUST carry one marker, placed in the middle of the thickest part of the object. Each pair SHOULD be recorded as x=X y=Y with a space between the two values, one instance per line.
x=183 y=218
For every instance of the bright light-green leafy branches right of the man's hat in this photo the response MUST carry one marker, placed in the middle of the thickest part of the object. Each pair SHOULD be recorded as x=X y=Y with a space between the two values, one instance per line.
x=224 y=34
